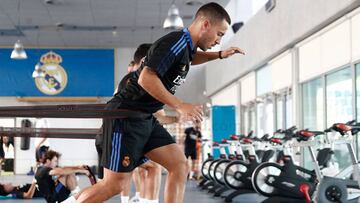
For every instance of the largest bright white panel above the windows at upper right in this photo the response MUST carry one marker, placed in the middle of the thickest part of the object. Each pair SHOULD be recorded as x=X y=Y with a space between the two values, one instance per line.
x=329 y=49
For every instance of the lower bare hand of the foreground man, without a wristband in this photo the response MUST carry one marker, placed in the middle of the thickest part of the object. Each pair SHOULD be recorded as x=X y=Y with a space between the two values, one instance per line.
x=190 y=112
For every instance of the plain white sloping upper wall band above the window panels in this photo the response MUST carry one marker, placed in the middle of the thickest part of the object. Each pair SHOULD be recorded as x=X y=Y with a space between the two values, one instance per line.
x=266 y=35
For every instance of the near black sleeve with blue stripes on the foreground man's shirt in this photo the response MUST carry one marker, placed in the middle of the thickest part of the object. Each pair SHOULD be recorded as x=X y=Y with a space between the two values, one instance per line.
x=164 y=54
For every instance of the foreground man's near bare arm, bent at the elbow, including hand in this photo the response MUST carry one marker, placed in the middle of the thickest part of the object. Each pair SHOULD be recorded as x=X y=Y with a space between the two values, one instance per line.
x=152 y=84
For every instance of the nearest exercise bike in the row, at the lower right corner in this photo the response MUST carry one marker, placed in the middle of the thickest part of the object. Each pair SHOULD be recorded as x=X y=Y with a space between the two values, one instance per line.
x=272 y=179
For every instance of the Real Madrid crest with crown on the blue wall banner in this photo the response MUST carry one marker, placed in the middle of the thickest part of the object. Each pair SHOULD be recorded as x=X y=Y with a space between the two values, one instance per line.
x=55 y=77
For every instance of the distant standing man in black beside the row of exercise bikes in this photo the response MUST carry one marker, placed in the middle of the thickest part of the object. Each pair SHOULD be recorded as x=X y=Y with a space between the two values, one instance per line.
x=192 y=135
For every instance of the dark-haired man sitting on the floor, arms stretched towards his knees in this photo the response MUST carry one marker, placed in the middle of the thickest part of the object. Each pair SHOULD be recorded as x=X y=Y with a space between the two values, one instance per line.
x=57 y=183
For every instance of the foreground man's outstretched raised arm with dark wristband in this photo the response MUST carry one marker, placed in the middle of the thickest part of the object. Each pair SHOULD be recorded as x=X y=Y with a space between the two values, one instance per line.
x=203 y=57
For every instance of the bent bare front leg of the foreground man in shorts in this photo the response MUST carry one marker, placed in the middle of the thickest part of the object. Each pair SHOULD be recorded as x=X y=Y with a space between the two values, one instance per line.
x=172 y=158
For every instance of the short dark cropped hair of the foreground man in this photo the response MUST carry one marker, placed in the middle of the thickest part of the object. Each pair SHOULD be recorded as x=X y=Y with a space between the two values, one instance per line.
x=214 y=12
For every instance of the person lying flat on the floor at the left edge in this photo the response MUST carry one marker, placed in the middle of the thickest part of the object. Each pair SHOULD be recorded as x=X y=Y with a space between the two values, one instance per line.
x=26 y=191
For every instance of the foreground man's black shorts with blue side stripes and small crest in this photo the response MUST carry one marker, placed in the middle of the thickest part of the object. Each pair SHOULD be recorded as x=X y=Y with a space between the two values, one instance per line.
x=126 y=141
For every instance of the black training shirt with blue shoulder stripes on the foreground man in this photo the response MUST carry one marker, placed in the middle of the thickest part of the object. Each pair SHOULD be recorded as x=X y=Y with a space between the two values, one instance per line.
x=169 y=57
